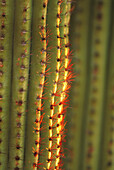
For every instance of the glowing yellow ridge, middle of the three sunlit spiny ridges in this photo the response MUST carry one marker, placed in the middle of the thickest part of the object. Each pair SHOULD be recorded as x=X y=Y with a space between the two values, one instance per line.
x=55 y=86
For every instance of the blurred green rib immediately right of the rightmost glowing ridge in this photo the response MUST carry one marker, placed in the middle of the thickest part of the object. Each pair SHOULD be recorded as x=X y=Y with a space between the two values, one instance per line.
x=80 y=40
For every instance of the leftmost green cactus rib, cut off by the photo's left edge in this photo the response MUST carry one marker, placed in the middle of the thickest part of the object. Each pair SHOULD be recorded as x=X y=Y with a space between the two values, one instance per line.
x=6 y=34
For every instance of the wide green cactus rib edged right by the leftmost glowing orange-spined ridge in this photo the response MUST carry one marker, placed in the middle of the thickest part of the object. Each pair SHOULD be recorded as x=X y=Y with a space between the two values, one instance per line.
x=36 y=85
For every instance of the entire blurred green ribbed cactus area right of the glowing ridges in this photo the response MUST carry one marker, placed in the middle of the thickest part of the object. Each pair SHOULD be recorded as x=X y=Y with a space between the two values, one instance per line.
x=90 y=117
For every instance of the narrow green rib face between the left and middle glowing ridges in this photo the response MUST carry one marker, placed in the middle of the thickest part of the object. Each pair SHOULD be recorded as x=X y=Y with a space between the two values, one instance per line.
x=47 y=137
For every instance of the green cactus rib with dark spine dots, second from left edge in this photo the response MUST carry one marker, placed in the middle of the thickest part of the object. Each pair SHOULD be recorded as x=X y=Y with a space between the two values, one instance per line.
x=21 y=57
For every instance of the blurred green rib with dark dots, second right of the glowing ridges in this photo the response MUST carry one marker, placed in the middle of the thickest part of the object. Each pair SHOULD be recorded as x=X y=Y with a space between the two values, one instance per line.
x=99 y=49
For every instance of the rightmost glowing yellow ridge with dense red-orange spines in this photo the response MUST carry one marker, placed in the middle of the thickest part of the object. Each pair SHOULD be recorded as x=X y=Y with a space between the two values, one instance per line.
x=66 y=80
